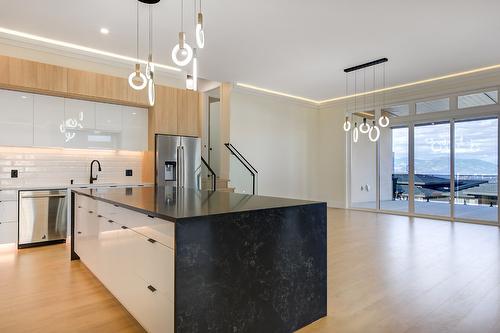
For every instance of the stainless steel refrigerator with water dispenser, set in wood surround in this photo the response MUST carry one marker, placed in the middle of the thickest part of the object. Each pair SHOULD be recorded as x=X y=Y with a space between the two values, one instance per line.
x=178 y=161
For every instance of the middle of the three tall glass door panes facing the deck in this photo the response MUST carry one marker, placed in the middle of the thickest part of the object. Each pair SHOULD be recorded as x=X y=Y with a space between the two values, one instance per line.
x=432 y=163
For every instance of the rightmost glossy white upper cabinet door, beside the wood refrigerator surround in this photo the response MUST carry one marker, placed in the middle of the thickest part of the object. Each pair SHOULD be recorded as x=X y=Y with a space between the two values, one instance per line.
x=135 y=129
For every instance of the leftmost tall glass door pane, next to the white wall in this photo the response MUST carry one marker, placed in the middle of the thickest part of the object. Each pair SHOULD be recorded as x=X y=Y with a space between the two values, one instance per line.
x=394 y=167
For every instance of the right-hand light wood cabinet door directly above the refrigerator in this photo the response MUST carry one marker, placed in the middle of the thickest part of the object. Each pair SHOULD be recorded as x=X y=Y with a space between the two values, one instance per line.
x=188 y=113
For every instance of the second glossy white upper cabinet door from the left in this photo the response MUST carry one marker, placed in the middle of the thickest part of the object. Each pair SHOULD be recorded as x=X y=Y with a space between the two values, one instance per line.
x=48 y=118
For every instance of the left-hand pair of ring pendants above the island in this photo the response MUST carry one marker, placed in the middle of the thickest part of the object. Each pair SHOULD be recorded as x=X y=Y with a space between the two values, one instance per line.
x=138 y=80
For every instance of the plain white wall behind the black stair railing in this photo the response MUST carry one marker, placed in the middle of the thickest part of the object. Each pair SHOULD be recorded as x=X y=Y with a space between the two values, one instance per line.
x=280 y=138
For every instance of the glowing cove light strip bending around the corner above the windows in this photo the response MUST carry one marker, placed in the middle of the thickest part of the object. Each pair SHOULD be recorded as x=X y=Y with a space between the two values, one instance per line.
x=399 y=86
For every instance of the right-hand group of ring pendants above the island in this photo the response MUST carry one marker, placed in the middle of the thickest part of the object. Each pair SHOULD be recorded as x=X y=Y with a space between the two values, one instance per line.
x=183 y=53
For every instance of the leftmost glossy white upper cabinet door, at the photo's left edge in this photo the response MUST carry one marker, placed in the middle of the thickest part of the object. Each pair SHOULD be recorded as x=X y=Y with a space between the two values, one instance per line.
x=16 y=118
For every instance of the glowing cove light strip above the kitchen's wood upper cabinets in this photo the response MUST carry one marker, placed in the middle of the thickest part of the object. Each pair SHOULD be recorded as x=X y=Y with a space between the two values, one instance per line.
x=72 y=46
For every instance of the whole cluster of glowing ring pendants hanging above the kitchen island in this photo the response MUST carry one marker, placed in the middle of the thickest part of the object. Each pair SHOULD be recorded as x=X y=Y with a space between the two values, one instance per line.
x=182 y=53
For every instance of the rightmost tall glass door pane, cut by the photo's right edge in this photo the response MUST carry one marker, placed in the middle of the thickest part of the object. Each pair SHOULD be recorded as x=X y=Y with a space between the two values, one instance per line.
x=476 y=169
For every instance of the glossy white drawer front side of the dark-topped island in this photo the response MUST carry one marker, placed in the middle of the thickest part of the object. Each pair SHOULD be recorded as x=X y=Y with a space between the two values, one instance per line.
x=132 y=254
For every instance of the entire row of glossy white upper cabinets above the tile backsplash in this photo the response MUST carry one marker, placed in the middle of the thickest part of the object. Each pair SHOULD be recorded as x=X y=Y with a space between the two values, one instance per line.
x=45 y=121
